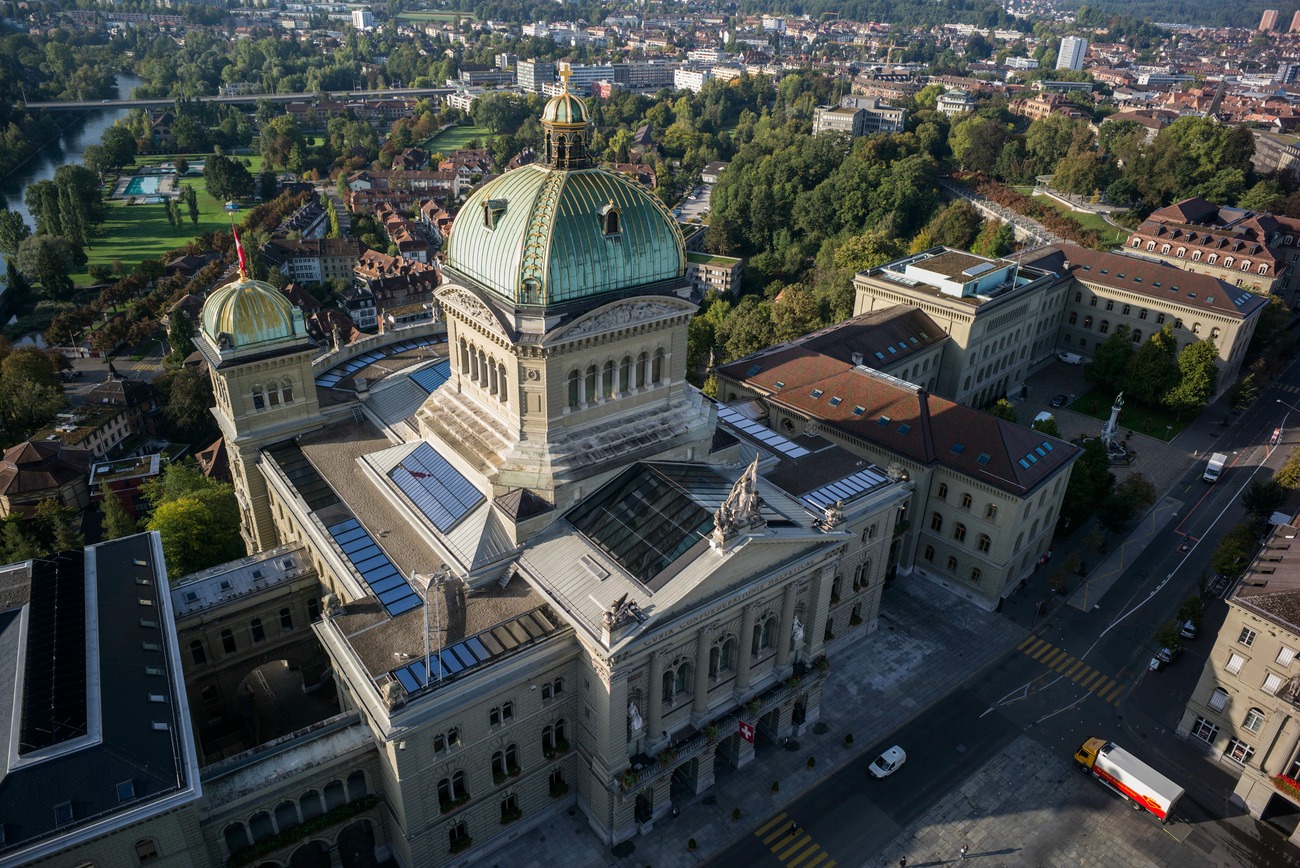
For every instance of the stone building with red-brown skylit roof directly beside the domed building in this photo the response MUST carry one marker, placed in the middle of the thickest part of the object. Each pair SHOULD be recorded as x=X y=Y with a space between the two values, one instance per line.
x=987 y=493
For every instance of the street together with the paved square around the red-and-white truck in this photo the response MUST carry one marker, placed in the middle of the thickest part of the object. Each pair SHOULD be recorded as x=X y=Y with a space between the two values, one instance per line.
x=1077 y=676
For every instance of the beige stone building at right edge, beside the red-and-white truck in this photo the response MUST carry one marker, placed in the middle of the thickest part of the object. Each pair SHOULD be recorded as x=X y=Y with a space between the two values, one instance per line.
x=1246 y=706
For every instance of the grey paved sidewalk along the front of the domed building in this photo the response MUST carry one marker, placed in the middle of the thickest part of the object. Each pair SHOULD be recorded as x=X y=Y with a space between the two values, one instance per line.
x=928 y=644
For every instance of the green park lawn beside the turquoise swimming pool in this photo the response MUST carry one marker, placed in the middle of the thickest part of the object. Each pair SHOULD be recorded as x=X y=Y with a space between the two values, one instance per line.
x=137 y=233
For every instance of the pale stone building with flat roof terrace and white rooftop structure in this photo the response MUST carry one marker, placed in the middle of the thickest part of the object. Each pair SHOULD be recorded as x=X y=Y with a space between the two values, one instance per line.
x=1002 y=318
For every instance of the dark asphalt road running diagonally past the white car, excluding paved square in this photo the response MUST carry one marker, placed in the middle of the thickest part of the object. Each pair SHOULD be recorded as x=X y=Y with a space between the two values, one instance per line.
x=1080 y=675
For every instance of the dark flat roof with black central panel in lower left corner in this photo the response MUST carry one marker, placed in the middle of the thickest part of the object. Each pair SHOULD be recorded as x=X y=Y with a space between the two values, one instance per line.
x=110 y=674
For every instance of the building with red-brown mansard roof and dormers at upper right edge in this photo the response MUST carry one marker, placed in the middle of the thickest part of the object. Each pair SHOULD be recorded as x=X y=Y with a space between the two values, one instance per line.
x=1240 y=248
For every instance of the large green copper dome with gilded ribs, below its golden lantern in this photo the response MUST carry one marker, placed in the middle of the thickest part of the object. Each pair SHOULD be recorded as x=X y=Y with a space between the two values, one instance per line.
x=545 y=236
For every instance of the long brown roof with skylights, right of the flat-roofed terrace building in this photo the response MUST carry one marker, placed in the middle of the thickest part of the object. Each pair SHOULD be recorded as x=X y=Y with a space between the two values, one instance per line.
x=1159 y=281
